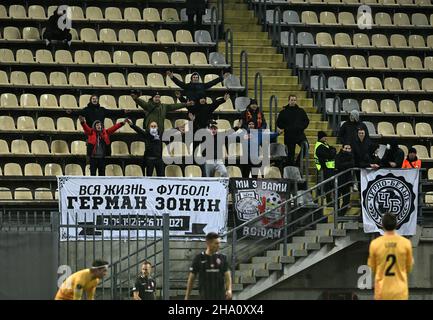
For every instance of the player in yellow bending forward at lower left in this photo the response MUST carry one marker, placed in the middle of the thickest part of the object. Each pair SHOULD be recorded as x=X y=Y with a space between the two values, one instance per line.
x=82 y=281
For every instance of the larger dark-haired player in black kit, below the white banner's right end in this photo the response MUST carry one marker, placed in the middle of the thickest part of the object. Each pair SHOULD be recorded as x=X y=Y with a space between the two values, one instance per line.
x=214 y=277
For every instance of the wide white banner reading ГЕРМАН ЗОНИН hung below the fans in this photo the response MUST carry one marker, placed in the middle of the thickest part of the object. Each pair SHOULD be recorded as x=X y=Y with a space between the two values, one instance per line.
x=128 y=207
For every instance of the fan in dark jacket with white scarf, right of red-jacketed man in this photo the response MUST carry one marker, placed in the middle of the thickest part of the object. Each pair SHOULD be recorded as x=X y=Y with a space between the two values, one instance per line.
x=153 y=149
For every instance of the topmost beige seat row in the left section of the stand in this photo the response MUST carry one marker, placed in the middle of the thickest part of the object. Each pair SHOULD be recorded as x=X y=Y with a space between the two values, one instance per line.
x=94 y=13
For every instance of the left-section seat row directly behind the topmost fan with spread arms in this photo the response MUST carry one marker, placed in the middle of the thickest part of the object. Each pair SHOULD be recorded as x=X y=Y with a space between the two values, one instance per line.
x=98 y=79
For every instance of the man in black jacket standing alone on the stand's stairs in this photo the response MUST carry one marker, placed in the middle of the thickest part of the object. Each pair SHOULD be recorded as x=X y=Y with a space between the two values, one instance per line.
x=293 y=120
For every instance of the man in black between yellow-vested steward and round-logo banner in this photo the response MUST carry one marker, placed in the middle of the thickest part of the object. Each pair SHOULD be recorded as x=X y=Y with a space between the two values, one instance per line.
x=343 y=161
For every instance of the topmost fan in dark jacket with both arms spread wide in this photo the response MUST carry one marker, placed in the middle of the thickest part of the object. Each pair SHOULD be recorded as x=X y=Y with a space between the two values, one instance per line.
x=196 y=90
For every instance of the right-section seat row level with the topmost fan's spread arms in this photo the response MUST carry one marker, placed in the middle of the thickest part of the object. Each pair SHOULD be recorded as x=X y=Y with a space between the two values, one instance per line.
x=375 y=84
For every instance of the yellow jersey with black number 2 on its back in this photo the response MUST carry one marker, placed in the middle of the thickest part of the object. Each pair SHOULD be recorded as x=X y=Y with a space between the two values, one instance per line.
x=390 y=258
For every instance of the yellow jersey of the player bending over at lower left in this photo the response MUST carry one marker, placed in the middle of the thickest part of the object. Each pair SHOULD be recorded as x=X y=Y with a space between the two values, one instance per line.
x=74 y=286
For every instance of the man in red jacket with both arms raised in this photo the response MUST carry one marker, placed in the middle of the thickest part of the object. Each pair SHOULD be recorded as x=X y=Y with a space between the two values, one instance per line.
x=98 y=139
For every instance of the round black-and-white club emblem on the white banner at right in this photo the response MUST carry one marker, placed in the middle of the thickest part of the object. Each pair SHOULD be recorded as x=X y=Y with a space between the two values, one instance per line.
x=389 y=194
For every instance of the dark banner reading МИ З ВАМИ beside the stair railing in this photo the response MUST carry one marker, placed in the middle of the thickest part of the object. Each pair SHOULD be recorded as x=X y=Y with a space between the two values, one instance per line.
x=252 y=198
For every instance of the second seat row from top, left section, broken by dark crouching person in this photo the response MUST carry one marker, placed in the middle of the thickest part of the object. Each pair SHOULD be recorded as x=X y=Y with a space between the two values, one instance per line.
x=109 y=35
